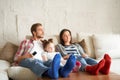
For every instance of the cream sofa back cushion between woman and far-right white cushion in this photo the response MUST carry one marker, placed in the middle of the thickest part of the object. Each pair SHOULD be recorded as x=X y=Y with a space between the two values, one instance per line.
x=89 y=43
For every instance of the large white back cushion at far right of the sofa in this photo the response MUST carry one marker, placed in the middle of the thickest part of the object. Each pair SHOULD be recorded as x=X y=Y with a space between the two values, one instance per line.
x=107 y=43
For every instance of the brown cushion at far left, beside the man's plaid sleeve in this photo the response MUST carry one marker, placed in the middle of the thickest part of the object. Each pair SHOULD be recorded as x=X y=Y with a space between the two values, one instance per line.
x=8 y=52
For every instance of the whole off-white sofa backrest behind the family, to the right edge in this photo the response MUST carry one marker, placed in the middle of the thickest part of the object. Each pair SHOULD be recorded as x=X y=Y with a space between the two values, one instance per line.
x=97 y=44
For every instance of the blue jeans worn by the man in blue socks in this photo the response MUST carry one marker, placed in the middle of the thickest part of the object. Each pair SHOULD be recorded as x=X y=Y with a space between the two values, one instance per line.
x=36 y=66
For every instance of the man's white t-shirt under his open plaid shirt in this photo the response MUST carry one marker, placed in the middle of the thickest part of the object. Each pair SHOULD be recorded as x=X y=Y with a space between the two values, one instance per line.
x=38 y=47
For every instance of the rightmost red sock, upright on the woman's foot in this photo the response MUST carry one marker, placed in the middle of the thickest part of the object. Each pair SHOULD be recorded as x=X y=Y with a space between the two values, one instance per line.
x=106 y=67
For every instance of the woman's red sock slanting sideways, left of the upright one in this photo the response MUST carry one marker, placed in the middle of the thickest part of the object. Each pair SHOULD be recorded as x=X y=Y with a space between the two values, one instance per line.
x=95 y=69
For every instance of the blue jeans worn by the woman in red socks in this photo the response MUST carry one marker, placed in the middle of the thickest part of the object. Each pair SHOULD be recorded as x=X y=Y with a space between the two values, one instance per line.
x=85 y=61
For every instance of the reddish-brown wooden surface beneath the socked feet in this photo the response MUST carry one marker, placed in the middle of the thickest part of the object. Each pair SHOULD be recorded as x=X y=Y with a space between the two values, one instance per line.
x=86 y=76
